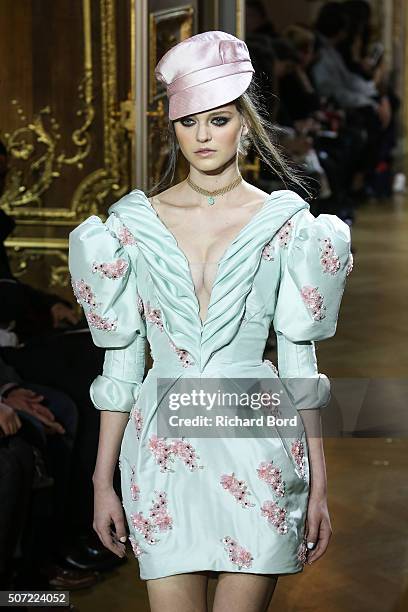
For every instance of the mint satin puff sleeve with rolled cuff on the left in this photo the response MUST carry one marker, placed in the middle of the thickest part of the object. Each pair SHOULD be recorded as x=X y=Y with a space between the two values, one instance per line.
x=102 y=264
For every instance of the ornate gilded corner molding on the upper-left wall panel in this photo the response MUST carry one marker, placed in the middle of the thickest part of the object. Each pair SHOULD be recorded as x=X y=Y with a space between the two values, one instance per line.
x=37 y=142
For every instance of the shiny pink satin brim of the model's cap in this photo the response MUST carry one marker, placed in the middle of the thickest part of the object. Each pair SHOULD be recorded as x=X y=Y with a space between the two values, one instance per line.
x=205 y=96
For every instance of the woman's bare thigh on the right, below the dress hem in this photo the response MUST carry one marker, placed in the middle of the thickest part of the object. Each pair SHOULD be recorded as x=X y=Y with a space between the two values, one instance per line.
x=244 y=592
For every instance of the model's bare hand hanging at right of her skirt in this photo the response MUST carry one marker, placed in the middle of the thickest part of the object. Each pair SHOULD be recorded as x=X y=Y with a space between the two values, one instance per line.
x=318 y=527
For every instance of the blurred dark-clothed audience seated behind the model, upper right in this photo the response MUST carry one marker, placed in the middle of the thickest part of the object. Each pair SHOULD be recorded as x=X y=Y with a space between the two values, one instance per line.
x=330 y=98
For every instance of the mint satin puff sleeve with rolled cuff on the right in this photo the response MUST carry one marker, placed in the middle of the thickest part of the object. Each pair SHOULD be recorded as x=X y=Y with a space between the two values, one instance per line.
x=314 y=263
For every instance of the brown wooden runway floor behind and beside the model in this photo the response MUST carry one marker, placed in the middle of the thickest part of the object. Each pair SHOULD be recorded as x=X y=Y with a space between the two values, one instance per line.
x=366 y=566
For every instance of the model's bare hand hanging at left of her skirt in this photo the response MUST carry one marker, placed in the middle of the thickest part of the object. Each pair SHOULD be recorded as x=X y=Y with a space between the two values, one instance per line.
x=108 y=509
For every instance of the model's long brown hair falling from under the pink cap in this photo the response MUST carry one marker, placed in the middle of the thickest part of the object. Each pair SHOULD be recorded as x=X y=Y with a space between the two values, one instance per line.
x=262 y=136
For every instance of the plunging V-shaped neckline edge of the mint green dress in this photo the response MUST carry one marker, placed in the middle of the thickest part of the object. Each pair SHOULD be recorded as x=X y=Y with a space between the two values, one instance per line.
x=220 y=262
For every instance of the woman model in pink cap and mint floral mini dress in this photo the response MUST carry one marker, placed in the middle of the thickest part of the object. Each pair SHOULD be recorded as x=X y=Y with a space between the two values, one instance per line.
x=201 y=271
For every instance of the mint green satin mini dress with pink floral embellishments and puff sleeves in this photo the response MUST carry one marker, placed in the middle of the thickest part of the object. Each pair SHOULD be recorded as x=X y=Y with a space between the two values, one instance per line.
x=234 y=504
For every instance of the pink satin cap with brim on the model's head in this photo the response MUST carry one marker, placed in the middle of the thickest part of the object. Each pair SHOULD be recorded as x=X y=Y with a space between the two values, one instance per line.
x=205 y=71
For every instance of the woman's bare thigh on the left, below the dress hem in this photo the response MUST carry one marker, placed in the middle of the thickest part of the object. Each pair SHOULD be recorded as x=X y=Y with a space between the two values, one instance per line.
x=180 y=593
